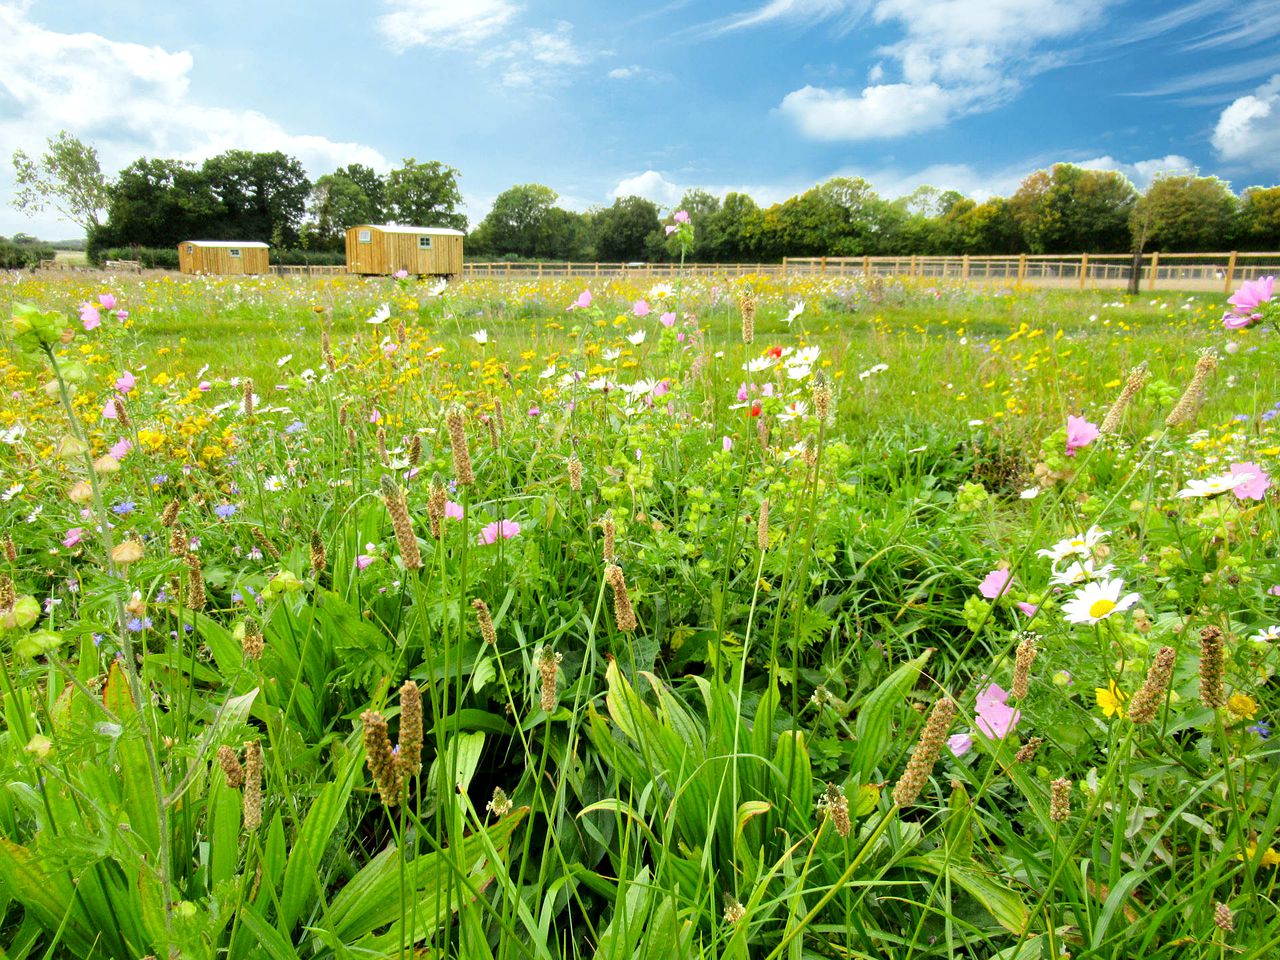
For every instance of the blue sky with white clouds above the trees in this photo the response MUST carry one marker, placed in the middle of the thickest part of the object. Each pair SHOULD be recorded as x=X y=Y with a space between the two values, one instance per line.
x=600 y=99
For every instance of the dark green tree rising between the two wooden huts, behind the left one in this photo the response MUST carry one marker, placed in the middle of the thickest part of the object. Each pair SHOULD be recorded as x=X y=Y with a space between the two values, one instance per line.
x=260 y=196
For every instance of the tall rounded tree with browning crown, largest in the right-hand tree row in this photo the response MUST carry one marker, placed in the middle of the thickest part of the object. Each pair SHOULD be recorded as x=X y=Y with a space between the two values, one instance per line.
x=1073 y=211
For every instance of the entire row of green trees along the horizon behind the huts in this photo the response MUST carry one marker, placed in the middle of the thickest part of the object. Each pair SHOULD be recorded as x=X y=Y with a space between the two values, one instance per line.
x=268 y=196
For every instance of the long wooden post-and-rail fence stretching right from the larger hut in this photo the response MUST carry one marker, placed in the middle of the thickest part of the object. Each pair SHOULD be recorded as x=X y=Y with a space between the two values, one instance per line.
x=1190 y=272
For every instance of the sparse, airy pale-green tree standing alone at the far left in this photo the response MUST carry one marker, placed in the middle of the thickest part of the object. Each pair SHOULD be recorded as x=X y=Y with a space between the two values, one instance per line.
x=68 y=177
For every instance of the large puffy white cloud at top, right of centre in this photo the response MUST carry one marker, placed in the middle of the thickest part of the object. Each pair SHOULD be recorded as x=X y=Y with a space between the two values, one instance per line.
x=956 y=58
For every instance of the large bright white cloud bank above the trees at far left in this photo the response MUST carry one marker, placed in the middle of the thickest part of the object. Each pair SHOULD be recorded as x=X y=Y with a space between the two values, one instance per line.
x=127 y=100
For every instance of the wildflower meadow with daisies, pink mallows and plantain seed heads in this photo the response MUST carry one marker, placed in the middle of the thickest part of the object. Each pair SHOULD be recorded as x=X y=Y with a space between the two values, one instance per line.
x=733 y=618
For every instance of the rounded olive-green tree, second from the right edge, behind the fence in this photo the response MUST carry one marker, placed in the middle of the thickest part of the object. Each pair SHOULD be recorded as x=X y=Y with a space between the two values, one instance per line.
x=1183 y=213
